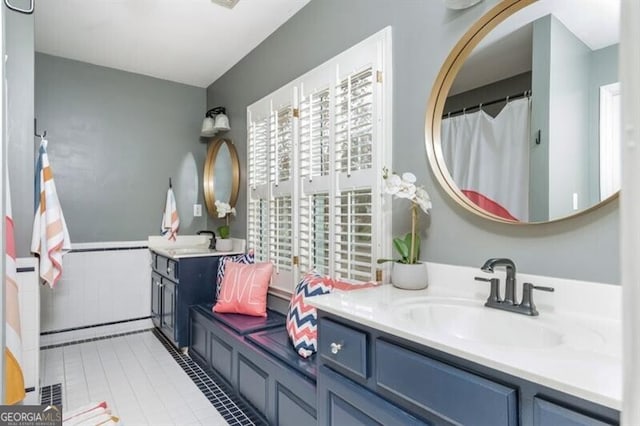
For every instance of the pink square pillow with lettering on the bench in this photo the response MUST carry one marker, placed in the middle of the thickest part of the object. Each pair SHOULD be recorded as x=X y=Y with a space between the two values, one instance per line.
x=244 y=289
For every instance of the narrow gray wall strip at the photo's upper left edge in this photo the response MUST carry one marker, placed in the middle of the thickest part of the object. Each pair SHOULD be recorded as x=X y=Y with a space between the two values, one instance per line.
x=19 y=43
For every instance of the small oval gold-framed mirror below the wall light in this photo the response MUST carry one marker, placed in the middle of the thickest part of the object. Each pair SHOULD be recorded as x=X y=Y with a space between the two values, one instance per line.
x=221 y=174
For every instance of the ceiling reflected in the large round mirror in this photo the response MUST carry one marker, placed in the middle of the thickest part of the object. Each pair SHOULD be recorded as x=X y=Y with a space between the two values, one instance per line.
x=506 y=50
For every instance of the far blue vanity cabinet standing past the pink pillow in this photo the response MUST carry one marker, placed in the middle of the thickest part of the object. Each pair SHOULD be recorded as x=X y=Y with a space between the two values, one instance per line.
x=177 y=284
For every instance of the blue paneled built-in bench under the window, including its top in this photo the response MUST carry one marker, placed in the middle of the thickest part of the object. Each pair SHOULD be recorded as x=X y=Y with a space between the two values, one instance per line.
x=254 y=356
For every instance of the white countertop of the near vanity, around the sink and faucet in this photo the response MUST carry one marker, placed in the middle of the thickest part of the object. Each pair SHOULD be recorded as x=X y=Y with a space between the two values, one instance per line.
x=587 y=363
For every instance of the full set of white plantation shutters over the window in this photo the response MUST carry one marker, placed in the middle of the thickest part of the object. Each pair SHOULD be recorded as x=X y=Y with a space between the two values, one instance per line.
x=324 y=156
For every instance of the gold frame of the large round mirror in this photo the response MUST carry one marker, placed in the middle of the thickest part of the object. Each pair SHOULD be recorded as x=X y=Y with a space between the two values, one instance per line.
x=439 y=93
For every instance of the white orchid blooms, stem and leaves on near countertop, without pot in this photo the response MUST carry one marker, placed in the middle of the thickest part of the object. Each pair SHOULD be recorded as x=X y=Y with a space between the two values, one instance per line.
x=405 y=186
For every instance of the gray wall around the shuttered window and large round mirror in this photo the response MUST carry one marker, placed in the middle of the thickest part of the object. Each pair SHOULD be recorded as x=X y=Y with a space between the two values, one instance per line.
x=423 y=34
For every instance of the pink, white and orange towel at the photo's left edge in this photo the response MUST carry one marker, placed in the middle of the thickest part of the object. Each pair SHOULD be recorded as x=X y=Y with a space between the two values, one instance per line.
x=14 y=379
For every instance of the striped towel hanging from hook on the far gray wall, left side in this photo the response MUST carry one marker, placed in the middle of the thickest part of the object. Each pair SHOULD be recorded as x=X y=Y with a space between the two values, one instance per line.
x=50 y=239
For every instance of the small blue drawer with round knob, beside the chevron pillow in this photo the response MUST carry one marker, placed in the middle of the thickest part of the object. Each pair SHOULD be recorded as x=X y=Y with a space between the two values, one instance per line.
x=343 y=346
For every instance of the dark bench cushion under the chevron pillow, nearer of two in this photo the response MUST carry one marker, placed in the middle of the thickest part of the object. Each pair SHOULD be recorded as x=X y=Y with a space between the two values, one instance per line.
x=276 y=342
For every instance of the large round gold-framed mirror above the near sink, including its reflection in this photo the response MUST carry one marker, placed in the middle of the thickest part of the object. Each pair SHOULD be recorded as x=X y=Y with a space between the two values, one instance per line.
x=558 y=184
